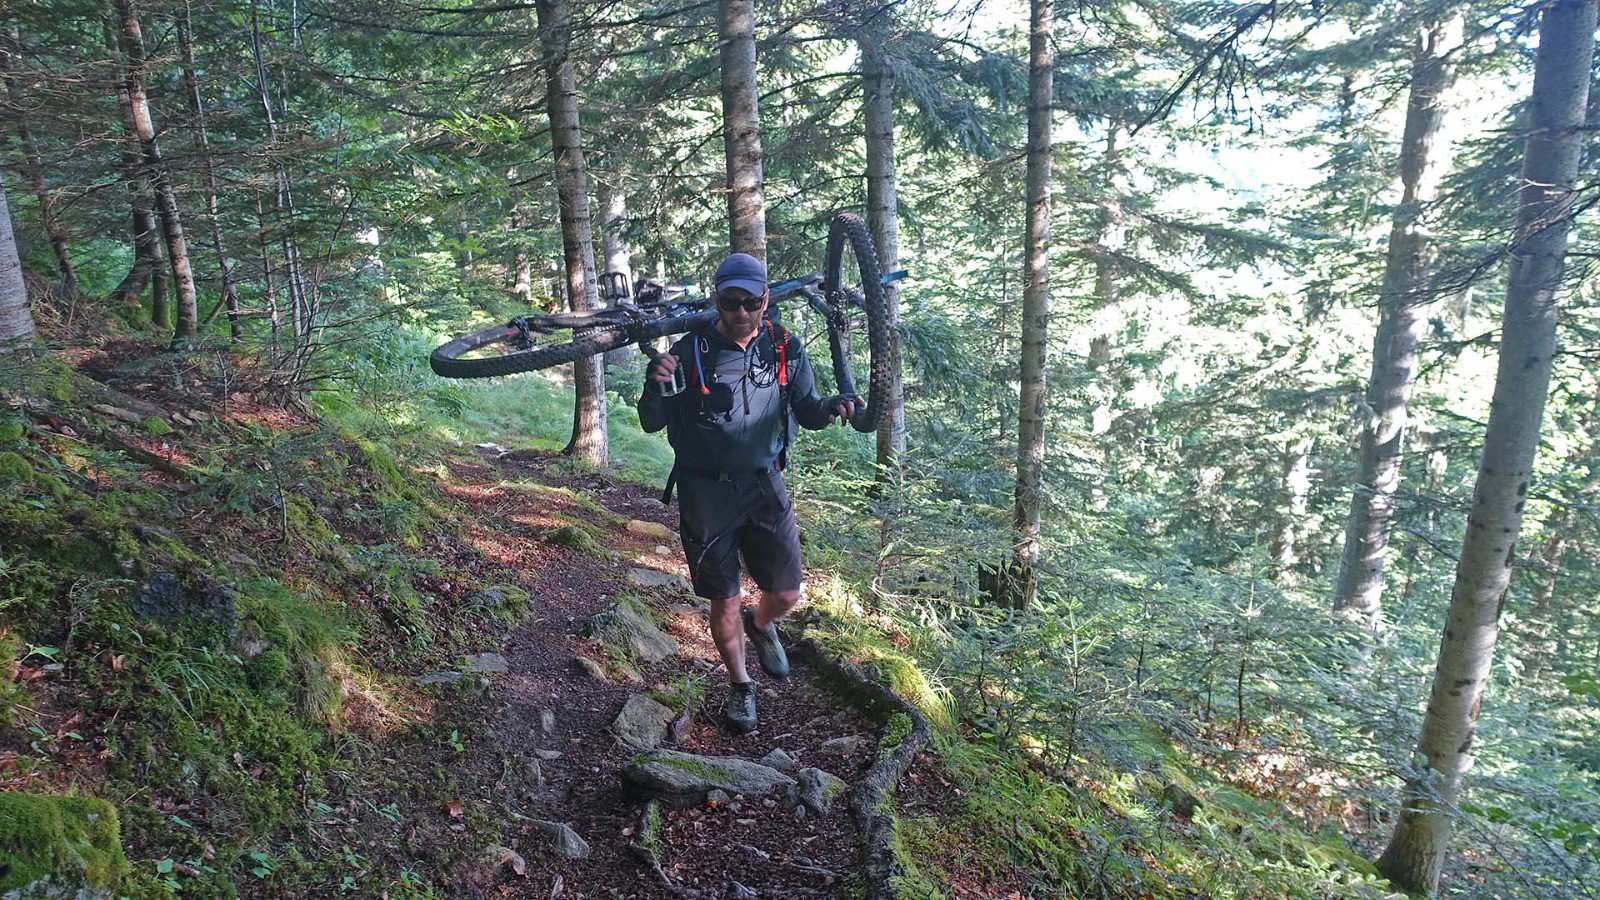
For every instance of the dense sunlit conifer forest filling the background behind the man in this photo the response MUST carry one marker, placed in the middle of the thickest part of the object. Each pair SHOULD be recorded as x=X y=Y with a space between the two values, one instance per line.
x=1247 y=529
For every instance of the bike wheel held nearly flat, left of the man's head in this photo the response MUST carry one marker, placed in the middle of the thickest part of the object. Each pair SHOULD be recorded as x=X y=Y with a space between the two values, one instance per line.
x=508 y=350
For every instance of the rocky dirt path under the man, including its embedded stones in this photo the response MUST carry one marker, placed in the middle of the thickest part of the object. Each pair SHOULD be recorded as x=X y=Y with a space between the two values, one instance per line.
x=590 y=685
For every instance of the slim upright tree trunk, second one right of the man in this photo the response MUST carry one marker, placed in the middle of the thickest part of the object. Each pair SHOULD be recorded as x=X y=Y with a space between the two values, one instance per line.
x=1036 y=300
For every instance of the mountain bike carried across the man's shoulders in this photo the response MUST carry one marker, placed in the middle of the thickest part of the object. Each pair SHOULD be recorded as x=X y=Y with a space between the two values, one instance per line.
x=847 y=295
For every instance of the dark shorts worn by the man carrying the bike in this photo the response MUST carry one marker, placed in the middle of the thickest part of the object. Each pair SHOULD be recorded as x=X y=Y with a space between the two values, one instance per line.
x=724 y=518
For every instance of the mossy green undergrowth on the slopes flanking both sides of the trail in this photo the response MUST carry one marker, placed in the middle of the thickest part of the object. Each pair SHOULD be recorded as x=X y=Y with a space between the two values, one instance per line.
x=215 y=609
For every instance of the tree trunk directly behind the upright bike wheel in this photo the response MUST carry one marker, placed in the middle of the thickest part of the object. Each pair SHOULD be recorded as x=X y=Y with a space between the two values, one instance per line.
x=884 y=222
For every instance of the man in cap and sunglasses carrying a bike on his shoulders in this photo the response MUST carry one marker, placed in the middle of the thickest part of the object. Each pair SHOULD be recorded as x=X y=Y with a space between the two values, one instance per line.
x=730 y=427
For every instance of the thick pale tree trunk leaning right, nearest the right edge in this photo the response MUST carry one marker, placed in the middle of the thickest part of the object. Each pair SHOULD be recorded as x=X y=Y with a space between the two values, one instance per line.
x=1556 y=139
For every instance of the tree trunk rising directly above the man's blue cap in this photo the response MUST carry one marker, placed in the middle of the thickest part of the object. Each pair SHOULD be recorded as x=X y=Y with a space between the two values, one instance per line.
x=742 y=131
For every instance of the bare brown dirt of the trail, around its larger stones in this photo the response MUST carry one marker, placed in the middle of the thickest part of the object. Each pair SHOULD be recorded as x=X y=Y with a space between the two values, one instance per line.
x=550 y=704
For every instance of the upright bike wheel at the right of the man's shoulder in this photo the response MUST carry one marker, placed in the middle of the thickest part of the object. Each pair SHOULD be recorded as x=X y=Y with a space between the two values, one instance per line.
x=854 y=287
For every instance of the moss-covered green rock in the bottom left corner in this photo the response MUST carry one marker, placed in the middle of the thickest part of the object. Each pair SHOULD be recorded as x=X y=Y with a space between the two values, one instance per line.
x=60 y=848
